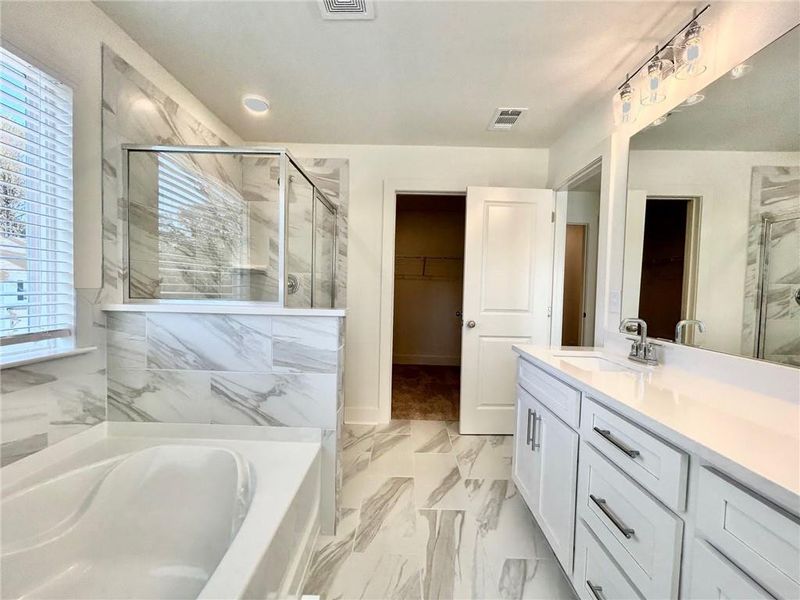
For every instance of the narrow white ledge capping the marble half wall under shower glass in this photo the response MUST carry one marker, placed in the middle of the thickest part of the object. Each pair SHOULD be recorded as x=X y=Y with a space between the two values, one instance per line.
x=247 y=308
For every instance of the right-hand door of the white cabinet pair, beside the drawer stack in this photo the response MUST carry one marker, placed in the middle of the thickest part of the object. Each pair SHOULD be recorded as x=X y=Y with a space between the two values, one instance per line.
x=556 y=445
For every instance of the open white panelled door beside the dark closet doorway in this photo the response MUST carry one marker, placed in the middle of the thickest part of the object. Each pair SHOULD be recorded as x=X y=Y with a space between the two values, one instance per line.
x=507 y=282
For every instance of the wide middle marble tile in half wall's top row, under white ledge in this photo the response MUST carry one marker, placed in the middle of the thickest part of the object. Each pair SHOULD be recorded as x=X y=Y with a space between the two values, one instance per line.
x=208 y=342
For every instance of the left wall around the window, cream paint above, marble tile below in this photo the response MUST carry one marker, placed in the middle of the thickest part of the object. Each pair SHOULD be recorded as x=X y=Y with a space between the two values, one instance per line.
x=45 y=402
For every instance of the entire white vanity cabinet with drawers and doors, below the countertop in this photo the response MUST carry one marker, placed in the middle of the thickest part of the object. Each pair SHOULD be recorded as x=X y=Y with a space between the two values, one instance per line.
x=613 y=500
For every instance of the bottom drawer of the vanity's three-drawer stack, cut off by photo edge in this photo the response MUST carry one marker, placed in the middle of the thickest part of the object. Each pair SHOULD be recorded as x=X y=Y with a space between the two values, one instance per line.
x=594 y=568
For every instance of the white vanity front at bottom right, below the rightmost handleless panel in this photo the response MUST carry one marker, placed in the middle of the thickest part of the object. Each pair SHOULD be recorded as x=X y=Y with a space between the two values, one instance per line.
x=713 y=576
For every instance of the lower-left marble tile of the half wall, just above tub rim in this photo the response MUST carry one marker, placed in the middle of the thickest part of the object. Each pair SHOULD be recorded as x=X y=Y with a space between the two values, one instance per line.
x=159 y=396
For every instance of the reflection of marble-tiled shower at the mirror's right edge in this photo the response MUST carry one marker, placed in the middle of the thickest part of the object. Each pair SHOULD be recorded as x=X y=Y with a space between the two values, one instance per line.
x=771 y=327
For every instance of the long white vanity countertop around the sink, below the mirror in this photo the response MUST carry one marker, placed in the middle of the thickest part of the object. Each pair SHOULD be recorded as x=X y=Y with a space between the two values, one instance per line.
x=753 y=437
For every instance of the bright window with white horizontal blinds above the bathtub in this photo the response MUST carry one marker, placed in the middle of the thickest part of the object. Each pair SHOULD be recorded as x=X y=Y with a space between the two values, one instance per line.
x=36 y=280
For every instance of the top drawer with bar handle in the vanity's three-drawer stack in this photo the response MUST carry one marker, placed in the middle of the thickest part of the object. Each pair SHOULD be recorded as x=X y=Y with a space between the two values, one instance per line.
x=659 y=467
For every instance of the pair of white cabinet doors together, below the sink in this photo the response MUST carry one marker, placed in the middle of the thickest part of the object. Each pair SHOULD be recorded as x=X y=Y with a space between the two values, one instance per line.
x=544 y=470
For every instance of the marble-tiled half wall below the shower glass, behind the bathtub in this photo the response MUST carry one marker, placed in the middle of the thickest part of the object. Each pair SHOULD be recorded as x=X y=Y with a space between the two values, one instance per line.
x=232 y=370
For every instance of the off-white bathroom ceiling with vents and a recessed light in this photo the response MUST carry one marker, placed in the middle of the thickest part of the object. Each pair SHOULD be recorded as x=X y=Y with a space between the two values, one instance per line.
x=423 y=73
